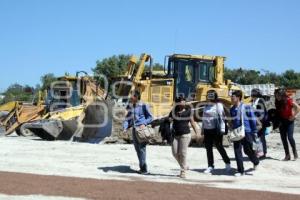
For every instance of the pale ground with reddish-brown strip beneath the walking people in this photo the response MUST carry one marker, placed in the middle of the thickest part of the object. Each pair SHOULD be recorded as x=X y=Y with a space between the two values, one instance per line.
x=35 y=169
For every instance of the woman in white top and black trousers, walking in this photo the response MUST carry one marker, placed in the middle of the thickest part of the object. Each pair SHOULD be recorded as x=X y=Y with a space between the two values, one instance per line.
x=214 y=127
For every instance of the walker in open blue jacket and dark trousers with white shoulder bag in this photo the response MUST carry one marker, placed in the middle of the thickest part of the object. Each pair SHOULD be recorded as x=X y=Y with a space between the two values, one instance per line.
x=241 y=113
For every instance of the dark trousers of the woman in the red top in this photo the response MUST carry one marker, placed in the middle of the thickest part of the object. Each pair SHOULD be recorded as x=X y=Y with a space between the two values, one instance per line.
x=287 y=134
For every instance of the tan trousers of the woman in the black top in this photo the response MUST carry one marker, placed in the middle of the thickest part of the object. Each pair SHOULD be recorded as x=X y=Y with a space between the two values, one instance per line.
x=182 y=148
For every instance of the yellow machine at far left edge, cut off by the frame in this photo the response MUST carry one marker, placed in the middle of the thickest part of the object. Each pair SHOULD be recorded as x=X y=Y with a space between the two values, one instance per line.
x=14 y=114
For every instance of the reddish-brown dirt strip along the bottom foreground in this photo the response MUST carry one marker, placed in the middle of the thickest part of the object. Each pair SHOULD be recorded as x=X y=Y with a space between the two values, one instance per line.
x=29 y=184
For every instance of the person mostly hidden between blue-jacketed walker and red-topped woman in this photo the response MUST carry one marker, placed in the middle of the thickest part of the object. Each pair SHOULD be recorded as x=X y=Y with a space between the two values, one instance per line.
x=261 y=113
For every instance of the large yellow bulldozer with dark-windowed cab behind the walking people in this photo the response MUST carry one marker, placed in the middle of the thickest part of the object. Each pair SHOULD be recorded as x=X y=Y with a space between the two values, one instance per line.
x=190 y=76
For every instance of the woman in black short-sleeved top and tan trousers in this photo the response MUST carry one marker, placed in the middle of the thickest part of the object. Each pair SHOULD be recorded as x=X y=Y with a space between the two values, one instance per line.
x=182 y=116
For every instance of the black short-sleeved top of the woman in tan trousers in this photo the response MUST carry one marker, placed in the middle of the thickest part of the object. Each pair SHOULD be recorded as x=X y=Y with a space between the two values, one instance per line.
x=181 y=122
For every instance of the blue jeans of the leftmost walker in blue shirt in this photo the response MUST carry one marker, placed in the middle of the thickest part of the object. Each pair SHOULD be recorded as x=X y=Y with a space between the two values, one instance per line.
x=140 y=149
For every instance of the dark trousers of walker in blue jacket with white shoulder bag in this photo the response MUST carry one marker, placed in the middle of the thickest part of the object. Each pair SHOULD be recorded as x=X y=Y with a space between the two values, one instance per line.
x=246 y=144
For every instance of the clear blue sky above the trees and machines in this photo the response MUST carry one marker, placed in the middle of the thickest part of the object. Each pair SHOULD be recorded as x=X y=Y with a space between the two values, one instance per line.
x=58 y=36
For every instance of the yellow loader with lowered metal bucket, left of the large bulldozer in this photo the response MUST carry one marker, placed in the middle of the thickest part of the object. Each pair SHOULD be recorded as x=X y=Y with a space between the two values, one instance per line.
x=76 y=109
